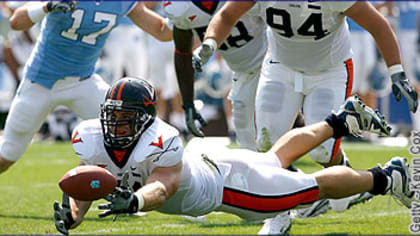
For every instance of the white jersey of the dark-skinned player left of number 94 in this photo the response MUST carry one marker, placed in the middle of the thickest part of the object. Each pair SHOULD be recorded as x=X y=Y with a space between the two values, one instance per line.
x=243 y=50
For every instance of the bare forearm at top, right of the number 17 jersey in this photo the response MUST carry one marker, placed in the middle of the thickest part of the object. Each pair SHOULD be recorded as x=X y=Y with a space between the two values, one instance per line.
x=150 y=22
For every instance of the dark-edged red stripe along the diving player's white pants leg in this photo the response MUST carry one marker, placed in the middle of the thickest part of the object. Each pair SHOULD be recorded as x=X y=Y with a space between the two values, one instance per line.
x=266 y=203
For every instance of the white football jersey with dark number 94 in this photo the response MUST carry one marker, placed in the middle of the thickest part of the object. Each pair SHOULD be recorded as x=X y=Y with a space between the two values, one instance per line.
x=308 y=36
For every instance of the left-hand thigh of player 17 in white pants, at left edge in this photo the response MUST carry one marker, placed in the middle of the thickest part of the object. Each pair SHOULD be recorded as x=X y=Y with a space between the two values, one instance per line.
x=28 y=111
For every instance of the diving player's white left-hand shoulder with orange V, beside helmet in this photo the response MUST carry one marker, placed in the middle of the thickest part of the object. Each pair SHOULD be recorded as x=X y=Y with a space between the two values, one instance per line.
x=86 y=137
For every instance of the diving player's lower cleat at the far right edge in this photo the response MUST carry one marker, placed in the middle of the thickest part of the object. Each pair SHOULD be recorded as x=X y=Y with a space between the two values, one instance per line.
x=399 y=177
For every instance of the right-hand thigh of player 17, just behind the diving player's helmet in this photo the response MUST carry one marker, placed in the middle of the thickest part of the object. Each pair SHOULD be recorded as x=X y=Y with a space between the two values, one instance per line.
x=90 y=94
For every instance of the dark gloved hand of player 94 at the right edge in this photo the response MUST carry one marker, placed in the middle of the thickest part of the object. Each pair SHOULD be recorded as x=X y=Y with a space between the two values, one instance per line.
x=401 y=86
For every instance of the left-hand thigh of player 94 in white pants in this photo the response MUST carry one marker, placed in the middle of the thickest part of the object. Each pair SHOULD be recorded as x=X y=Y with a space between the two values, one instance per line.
x=276 y=105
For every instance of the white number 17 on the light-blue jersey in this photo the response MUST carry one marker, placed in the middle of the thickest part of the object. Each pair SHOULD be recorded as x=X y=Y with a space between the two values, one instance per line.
x=90 y=38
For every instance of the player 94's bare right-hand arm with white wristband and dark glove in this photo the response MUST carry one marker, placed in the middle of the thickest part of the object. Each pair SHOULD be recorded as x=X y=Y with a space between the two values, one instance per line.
x=364 y=14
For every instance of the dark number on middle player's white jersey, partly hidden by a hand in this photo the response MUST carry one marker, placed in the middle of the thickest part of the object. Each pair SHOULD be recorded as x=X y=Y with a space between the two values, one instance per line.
x=237 y=41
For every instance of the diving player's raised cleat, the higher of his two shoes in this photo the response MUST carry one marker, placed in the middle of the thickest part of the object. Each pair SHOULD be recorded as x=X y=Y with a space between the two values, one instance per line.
x=358 y=117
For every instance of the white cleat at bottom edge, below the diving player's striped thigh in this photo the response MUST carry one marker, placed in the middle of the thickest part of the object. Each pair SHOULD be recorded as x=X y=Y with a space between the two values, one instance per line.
x=280 y=224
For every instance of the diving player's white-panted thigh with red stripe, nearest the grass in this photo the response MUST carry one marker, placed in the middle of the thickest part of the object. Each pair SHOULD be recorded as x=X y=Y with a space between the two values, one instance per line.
x=258 y=187
